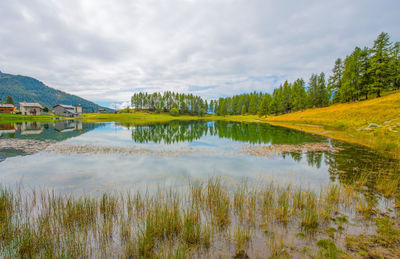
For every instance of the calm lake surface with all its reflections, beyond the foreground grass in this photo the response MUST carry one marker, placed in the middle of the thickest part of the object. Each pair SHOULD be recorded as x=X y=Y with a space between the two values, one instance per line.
x=123 y=157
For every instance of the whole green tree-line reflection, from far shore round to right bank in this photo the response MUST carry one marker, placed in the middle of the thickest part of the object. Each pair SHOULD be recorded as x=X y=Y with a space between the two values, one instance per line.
x=350 y=165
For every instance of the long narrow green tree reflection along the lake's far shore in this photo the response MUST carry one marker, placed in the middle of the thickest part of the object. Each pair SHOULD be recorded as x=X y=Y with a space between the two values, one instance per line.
x=245 y=132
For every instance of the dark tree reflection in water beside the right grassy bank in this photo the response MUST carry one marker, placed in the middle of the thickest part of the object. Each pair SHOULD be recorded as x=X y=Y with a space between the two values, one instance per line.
x=367 y=170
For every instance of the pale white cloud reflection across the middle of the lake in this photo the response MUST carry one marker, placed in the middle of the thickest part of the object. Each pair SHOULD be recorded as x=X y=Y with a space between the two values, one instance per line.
x=198 y=159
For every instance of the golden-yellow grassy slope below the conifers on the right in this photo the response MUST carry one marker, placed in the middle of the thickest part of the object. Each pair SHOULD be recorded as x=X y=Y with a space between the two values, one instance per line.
x=352 y=122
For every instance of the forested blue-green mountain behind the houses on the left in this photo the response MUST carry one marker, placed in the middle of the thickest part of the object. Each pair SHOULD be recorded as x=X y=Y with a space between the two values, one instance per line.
x=28 y=89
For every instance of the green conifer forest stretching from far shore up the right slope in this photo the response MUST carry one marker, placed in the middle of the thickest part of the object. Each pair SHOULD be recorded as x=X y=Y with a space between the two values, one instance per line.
x=365 y=73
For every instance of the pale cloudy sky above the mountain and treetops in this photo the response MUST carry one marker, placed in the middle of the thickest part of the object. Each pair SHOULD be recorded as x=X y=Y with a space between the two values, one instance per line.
x=105 y=51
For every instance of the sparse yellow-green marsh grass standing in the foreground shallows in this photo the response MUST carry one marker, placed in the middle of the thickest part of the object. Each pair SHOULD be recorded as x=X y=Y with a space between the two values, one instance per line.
x=203 y=220
